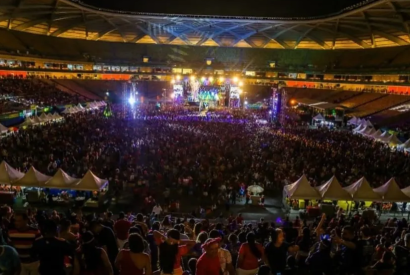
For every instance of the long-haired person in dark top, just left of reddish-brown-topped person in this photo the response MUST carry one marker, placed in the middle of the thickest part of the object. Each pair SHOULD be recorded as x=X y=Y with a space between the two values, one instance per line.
x=91 y=259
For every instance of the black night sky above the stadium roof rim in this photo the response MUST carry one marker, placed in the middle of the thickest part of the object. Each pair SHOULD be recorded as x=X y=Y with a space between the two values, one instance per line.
x=274 y=8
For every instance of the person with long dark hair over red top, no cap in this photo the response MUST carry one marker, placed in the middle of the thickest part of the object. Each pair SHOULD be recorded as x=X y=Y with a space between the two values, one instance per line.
x=250 y=254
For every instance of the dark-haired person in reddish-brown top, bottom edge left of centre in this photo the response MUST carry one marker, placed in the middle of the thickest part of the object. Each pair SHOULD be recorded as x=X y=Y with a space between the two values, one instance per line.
x=134 y=261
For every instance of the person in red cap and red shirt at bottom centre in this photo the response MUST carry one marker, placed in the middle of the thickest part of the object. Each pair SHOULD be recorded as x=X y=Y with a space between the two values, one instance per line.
x=208 y=263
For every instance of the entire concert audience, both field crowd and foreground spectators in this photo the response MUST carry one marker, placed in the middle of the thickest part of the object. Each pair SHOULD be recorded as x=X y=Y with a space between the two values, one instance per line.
x=211 y=157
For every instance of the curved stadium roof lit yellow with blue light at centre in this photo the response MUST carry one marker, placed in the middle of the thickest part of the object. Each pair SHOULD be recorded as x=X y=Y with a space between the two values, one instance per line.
x=368 y=24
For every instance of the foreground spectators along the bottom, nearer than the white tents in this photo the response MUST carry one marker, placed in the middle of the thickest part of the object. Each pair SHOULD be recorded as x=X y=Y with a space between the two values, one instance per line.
x=34 y=242
